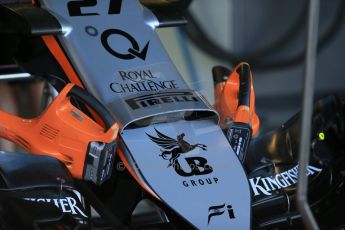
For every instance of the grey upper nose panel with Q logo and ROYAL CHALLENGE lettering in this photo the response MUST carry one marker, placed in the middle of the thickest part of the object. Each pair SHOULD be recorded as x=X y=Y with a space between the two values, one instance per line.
x=118 y=55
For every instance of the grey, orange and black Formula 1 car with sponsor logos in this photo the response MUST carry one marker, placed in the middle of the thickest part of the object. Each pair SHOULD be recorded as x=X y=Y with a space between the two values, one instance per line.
x=125 y=127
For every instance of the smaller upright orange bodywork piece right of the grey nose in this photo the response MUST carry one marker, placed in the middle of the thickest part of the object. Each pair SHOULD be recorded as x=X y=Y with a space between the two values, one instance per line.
x=226 y=102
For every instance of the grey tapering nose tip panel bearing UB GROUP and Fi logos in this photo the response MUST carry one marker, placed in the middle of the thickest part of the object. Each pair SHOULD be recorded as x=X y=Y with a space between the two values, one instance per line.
x=191 y=196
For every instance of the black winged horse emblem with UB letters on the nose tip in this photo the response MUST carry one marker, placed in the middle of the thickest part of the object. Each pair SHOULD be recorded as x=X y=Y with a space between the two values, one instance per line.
x=174 y=148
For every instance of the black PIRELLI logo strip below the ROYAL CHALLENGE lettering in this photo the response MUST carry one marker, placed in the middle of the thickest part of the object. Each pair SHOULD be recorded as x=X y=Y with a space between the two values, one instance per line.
x=161 y=99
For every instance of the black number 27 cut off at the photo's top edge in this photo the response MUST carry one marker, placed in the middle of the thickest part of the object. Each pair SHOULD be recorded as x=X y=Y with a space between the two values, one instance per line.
x=74 y=7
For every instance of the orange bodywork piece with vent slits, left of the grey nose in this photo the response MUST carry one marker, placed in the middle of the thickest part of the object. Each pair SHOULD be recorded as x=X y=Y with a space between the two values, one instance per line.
x=61 y=131
